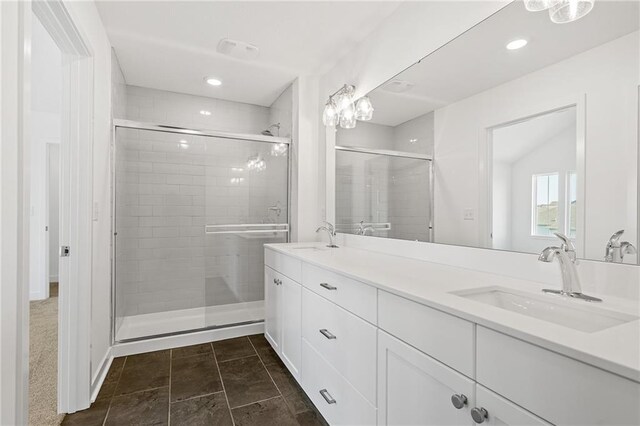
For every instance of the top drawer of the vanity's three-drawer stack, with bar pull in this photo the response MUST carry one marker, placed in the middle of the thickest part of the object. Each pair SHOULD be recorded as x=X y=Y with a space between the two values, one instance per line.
x=354 y=296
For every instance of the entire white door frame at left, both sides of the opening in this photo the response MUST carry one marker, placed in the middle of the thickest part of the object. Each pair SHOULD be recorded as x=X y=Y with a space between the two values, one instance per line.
x=74 y=365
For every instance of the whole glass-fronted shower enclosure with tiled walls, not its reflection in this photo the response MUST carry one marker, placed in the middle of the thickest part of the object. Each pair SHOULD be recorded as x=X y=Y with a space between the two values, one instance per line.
x=192 y=211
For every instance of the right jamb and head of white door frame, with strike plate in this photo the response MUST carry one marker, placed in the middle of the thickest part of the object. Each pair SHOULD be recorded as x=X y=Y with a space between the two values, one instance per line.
x=76 y=158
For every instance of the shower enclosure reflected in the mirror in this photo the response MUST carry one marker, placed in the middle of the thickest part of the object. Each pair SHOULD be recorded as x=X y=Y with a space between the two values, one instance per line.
x=384 y=193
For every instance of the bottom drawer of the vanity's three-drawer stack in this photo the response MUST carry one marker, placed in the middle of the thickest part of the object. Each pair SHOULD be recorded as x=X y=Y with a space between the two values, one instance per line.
x=341 y=403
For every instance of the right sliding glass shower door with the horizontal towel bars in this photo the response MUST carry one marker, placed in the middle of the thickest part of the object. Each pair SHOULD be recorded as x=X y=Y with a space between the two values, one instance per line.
x=245 y=207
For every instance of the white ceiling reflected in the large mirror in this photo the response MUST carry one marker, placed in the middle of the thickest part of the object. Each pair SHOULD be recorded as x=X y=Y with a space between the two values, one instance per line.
x=478 y=60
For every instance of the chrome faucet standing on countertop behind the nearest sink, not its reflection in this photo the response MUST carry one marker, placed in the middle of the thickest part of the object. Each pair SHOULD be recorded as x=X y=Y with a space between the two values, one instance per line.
x=566 y=255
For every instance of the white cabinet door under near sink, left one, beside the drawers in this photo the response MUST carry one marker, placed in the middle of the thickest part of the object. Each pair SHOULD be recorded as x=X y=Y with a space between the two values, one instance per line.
x=415 y=389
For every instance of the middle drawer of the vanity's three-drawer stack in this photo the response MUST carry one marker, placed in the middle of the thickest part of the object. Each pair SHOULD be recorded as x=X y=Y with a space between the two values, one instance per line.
x=348 y=342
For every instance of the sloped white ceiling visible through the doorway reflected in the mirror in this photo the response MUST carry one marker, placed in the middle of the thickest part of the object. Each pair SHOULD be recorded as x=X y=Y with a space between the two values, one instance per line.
x=512 y=142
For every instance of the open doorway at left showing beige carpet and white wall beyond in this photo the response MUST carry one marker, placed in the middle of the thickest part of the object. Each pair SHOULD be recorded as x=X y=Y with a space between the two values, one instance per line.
x=44 y=225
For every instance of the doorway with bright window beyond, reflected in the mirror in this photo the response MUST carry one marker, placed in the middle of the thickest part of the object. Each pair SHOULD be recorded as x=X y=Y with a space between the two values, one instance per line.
x=534 y=181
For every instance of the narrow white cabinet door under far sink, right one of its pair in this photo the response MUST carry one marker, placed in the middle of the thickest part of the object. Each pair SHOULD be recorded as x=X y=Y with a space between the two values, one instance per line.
x=291 y=342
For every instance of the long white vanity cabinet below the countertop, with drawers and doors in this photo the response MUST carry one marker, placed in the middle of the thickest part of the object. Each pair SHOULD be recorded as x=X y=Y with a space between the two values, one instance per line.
x=367 y=356
